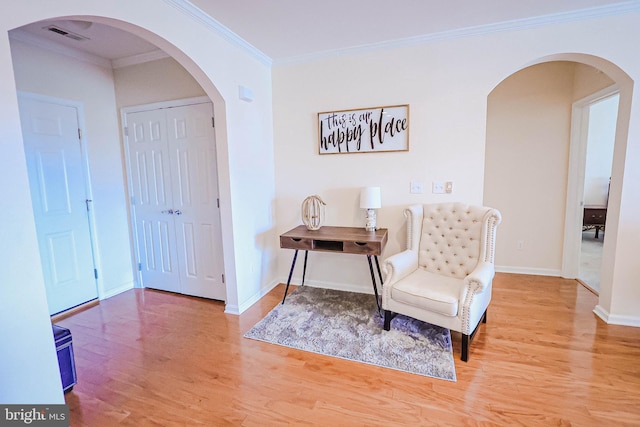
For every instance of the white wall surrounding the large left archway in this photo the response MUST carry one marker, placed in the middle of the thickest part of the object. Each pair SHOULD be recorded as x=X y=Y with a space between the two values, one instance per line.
x=29 y=369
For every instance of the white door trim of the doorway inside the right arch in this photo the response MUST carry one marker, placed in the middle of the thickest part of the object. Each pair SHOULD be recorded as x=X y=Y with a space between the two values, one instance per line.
x=575 y=180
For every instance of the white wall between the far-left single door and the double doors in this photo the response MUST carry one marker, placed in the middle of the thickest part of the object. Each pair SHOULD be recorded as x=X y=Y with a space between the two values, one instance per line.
x=46 y=73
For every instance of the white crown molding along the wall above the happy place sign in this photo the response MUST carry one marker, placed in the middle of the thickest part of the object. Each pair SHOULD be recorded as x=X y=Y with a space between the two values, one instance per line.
x=513 y=25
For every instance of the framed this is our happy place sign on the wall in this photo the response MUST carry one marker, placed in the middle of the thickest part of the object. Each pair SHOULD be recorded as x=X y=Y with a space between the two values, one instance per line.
x=365 y=130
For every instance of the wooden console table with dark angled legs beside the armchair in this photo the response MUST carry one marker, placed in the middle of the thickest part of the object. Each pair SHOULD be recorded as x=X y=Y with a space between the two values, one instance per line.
x=347 y=240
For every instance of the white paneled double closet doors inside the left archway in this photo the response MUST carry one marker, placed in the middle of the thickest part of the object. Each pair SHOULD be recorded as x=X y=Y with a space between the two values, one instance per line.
x=175 y=193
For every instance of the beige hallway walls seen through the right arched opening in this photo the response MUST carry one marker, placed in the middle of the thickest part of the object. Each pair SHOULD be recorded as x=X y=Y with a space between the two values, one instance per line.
x=532 y=109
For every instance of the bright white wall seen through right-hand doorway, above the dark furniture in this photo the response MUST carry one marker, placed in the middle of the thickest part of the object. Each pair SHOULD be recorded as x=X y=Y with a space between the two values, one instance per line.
x=600 y=141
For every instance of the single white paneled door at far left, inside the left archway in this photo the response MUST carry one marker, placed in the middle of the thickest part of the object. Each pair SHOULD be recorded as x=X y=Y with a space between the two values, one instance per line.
x=59 y=196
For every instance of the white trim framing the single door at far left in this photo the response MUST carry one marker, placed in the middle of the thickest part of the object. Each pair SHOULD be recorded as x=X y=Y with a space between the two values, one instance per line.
x=93 y=235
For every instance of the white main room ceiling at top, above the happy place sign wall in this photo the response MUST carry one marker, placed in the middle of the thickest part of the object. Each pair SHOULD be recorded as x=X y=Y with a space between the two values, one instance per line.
x=284 y=29
